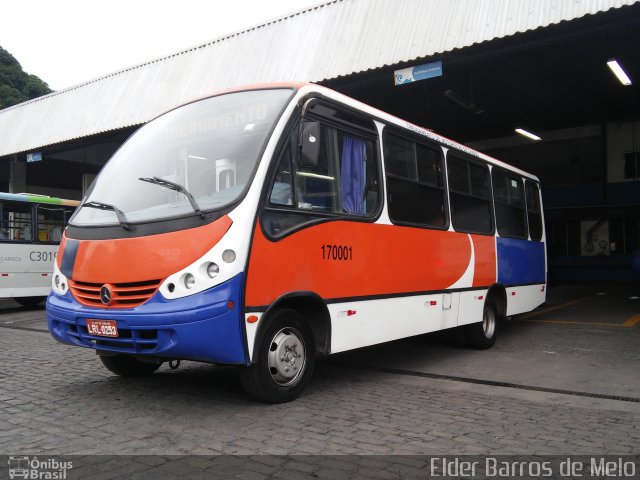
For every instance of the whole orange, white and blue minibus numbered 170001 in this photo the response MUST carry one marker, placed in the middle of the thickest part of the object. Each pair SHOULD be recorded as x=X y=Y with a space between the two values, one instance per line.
x=264 y=226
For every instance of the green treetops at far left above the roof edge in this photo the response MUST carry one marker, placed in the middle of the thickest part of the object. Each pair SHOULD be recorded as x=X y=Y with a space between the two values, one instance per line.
x=17 y=86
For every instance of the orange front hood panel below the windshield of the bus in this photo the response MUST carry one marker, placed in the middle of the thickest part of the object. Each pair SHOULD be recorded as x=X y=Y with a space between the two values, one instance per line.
x=143 y=258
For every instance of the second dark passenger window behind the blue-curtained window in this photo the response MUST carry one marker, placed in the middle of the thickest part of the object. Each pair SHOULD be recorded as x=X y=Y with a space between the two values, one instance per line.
x=470 y=196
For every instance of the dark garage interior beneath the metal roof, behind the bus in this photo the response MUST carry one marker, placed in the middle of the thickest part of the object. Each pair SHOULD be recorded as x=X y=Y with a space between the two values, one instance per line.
x=552 y=81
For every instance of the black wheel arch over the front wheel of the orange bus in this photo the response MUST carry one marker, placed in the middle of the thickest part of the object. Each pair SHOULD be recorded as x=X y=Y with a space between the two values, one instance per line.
x=313 y=310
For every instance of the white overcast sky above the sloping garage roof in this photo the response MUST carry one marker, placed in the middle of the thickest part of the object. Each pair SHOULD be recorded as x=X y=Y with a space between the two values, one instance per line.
x=67 y=42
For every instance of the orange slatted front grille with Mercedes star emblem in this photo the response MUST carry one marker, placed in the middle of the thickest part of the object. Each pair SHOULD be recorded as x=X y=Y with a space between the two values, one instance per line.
x=123 y=295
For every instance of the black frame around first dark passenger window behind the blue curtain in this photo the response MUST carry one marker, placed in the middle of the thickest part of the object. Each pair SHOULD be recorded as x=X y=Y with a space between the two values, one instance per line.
x=429 y=144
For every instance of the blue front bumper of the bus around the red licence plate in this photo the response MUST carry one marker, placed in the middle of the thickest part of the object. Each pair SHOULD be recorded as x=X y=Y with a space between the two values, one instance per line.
x=199 y=327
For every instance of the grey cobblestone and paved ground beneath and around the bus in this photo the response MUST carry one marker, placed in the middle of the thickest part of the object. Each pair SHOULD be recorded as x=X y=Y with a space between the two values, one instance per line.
x=372 y=413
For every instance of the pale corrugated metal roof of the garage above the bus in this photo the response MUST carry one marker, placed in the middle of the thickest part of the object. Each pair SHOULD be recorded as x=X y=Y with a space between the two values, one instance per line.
x=331 y=40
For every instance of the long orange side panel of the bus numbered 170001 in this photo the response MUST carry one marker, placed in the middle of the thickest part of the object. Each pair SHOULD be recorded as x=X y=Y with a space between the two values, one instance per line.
x=383 y=259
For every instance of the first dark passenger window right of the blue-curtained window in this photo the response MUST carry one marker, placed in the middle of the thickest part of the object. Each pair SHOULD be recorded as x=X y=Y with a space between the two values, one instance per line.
x=415 y=183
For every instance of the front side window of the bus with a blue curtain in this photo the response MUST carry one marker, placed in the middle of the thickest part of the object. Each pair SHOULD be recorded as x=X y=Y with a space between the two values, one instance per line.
x=344 y=181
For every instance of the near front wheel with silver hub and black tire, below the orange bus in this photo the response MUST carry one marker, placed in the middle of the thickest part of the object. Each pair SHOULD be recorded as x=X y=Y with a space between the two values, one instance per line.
x=285 y=359
